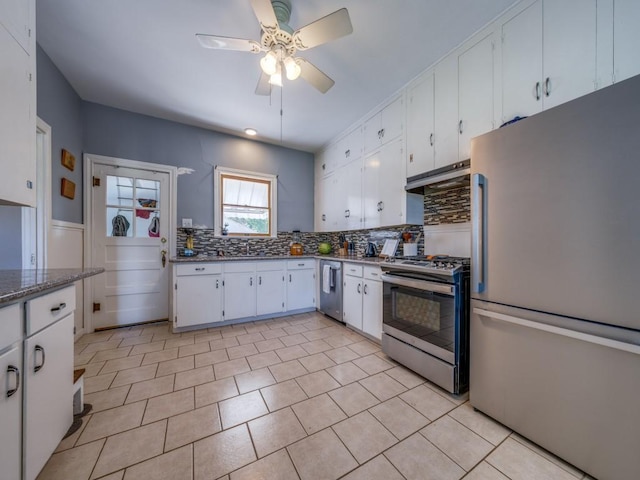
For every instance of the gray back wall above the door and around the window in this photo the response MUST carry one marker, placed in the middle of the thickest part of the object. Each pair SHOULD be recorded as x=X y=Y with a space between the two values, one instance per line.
x=117 y=133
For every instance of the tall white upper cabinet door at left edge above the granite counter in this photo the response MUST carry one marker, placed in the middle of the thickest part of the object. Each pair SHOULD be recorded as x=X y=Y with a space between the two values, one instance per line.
x=17 y=123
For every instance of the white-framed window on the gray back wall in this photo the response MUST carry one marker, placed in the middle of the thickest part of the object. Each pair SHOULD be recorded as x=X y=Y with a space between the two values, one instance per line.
x=245 y=203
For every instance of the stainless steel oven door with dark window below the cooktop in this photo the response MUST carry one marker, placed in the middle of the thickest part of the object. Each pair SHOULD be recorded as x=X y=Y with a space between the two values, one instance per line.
x=423 y=314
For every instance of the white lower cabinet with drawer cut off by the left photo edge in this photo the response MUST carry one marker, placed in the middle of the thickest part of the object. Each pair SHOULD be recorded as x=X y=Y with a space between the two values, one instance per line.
x=11 y=375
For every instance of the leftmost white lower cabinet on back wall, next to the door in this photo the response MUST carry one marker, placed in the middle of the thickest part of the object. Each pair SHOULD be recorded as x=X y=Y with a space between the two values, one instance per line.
x=198 y=294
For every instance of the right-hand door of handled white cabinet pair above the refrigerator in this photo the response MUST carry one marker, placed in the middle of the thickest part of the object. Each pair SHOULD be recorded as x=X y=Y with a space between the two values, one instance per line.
x=569 y=54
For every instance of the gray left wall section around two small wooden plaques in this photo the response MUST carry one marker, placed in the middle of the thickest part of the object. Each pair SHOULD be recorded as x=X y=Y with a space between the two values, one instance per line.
x=61 y=107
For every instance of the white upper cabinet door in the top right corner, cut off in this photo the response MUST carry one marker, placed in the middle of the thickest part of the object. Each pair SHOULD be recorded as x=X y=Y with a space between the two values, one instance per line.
x=626 y=38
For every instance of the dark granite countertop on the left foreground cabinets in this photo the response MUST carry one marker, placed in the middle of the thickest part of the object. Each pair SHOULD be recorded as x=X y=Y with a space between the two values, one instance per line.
x=16 y=284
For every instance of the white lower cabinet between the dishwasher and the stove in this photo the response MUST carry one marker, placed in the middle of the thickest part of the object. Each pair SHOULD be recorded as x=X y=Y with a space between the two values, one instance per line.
x=362 y=298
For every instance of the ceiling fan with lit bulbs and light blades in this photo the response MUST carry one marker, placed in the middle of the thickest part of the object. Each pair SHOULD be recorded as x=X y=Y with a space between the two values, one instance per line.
x=281 y=42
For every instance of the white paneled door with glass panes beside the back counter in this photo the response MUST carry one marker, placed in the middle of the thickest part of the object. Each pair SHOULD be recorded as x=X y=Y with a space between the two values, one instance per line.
x=130 y=228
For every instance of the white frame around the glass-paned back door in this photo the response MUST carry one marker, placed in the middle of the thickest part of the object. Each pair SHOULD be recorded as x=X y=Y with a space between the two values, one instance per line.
x=89 y=161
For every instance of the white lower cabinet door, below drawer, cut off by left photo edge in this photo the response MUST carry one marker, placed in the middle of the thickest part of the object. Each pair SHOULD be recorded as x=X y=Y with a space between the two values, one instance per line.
x=11 y=412
